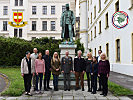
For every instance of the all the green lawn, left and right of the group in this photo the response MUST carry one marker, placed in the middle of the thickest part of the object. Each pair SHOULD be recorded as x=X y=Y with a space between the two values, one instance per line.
x=16 y=87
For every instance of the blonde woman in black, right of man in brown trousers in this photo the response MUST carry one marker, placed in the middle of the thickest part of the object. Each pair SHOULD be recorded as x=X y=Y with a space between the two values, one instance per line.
x=88 y=62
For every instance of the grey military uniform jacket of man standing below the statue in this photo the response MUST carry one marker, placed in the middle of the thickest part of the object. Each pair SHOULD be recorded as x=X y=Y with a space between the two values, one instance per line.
x=67 y=64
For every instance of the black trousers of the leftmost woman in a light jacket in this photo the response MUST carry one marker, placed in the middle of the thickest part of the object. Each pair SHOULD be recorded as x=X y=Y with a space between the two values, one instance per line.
x=27 y=82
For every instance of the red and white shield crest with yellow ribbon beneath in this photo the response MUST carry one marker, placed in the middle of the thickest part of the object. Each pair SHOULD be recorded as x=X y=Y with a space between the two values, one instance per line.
x=17 y=20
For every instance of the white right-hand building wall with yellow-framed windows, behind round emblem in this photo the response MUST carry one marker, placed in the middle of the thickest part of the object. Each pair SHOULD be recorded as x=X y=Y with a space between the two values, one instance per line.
x=116 y=43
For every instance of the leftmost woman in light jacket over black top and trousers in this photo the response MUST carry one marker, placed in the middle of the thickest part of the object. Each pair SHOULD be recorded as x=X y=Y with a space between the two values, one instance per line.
x=27 y=69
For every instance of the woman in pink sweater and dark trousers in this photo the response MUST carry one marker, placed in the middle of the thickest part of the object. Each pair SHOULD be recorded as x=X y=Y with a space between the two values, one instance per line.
x=40 y=70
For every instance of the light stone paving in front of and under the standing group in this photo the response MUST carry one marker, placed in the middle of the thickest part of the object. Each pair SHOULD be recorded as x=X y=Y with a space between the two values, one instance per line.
x=66 y=95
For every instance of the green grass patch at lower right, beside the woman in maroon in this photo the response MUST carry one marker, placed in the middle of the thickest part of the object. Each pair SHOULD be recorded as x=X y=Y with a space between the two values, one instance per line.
x=118 y=90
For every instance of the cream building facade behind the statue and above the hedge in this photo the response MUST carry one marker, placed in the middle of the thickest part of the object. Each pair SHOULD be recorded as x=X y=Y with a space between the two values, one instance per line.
x=43 y=17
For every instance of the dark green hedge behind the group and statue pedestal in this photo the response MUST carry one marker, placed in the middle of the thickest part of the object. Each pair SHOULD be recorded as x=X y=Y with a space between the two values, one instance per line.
x=13 y=49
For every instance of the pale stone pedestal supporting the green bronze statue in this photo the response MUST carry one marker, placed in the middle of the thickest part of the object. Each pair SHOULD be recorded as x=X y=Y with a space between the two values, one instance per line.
x=71 y=49
